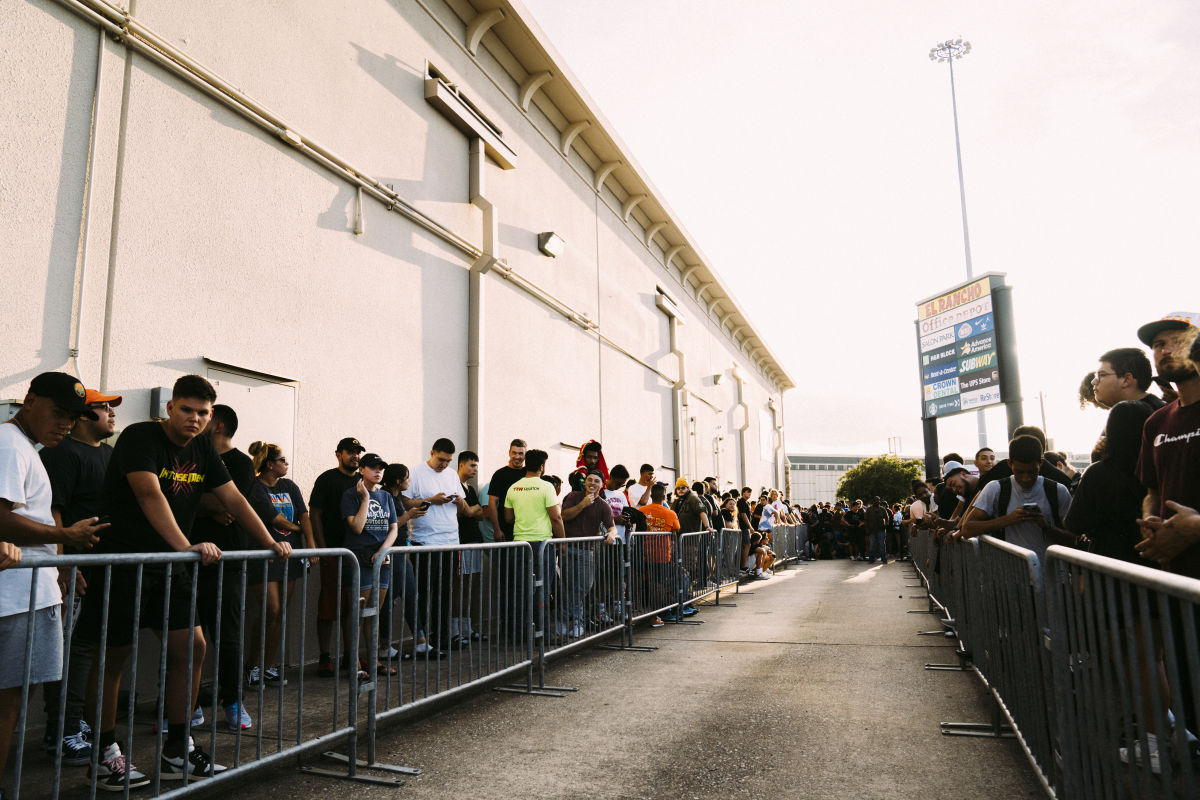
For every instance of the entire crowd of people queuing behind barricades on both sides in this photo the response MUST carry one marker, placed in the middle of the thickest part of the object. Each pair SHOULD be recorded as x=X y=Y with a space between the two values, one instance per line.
x=182 y=485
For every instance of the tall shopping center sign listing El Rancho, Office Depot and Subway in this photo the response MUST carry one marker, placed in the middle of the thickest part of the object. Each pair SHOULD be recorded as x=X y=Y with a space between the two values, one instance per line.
x=958 y=345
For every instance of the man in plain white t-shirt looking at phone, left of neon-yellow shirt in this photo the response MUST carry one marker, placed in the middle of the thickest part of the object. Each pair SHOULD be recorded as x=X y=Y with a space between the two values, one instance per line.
x=436 y=484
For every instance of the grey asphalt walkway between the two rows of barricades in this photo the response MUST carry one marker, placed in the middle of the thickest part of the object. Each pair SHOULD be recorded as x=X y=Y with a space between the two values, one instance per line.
x=813 y=687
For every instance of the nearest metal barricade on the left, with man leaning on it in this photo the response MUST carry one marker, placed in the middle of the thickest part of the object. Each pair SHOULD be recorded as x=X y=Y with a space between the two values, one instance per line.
x=284 y=726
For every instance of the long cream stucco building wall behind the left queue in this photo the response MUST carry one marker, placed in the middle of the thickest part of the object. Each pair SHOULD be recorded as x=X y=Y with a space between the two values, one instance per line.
x=215 y=246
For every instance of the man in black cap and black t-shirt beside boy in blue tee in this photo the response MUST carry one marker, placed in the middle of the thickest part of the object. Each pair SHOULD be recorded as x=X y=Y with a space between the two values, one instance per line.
x=329 y=531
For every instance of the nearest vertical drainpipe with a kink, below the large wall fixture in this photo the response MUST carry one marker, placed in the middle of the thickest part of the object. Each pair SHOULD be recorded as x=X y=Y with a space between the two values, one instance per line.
x=476 y=299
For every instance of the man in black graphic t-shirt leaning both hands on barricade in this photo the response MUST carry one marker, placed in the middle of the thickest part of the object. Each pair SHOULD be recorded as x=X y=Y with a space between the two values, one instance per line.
x=153 y=492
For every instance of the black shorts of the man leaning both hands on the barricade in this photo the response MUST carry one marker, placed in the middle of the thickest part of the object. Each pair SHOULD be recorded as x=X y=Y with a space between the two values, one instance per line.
x=124 y=600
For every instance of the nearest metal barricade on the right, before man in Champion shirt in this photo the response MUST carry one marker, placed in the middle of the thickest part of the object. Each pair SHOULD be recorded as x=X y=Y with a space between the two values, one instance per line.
x=1126 y=666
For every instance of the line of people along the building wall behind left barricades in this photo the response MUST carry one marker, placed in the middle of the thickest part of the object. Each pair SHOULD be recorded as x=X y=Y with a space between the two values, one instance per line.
x=182 y=485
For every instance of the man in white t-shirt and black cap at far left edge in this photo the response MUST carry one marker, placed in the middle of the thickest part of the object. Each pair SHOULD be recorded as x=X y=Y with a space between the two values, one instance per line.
x=53 y=404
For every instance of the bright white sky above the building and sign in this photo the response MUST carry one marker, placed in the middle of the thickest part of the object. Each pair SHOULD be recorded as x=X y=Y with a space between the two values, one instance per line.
x=808 y=147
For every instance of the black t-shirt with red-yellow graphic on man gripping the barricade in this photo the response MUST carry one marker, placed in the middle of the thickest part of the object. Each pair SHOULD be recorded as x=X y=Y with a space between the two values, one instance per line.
x=184 y=476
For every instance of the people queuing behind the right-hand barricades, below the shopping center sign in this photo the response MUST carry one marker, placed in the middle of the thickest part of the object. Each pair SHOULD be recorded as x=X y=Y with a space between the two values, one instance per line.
x=1138 y=501
